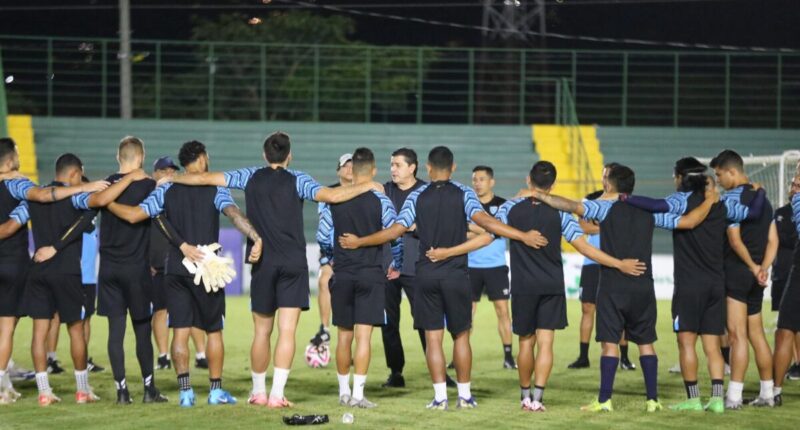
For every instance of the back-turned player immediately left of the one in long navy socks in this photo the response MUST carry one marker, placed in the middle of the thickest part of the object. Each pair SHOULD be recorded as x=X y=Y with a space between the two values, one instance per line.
x=538 y=304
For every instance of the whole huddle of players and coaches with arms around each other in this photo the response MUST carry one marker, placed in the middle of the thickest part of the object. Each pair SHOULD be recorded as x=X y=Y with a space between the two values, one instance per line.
x=441 y=243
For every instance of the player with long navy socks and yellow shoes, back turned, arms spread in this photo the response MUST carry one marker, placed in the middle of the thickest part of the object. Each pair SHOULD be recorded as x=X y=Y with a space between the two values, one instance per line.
x=626 y=303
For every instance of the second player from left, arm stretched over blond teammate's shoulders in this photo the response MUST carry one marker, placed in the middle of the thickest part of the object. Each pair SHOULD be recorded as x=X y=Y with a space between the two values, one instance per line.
x=54 y=282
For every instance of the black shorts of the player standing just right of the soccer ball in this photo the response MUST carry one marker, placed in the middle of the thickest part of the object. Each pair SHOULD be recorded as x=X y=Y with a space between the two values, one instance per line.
x=358 y=302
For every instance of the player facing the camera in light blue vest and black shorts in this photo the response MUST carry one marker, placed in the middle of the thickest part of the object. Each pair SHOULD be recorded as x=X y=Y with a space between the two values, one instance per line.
x=487 y=266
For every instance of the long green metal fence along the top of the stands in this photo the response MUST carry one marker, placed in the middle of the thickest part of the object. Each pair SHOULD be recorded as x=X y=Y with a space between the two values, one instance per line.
x=363 y=83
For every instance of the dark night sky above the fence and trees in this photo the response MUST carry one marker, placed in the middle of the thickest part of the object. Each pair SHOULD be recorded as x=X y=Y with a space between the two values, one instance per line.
x=767 y=23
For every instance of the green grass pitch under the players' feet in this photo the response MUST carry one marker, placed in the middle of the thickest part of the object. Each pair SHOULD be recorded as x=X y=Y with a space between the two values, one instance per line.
x=316 y=391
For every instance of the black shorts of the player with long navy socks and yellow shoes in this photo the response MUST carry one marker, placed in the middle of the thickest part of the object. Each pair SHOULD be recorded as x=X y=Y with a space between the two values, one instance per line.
x=626 y=310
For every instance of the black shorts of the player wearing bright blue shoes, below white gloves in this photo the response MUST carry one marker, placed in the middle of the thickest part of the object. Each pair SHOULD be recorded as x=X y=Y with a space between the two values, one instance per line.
x=189 y=305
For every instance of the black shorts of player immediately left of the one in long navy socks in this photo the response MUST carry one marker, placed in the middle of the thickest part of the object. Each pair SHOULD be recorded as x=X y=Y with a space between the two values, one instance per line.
x=532 y=312
